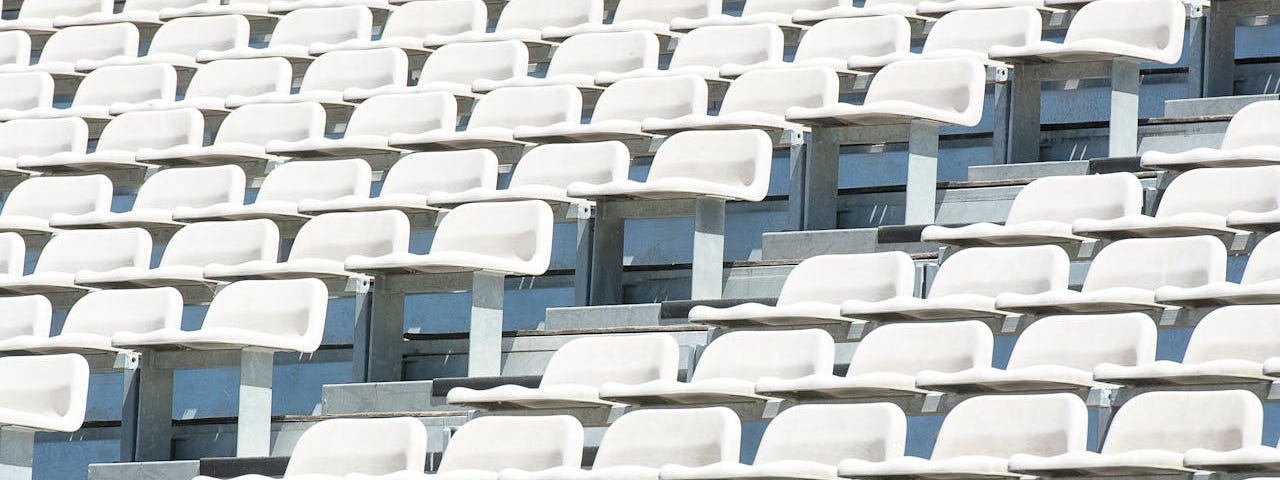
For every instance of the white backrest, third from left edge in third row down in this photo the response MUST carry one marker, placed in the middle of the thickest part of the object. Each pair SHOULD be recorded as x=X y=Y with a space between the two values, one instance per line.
x=246 y=77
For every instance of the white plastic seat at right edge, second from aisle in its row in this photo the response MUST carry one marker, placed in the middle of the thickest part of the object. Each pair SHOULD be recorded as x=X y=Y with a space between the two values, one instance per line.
x=1199 y=203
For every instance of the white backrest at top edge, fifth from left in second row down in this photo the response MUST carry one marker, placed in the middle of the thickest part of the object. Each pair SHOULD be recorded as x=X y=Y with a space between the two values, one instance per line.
x=437 y=17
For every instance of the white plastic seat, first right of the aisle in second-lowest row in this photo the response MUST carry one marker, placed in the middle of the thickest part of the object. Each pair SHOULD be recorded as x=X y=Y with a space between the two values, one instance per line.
x=577 y=371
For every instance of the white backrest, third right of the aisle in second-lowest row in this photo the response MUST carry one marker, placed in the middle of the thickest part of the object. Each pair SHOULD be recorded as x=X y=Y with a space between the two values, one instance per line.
x=909 y=349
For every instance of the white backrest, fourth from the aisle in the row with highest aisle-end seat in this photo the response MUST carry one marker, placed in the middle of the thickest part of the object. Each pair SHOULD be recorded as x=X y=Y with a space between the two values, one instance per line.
x=720 y=45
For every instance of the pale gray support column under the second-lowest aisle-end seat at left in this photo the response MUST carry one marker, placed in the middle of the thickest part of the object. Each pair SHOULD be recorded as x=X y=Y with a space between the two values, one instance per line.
x=254 y=420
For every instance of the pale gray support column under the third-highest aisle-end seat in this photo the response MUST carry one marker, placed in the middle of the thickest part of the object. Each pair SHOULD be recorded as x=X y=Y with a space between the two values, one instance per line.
x=708 y=249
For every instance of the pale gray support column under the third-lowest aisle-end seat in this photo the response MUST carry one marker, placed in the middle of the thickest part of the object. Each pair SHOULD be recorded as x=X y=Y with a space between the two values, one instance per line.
x=484 y=350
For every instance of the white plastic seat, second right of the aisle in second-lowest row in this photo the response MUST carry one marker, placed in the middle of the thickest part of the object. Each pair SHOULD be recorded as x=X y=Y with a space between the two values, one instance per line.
x=730 y=368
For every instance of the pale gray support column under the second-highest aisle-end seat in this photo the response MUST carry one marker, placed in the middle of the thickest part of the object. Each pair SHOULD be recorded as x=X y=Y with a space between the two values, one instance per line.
x=922 y=173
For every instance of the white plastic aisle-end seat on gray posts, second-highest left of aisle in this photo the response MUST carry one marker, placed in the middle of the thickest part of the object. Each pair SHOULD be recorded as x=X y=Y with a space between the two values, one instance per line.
x=948 y=92
